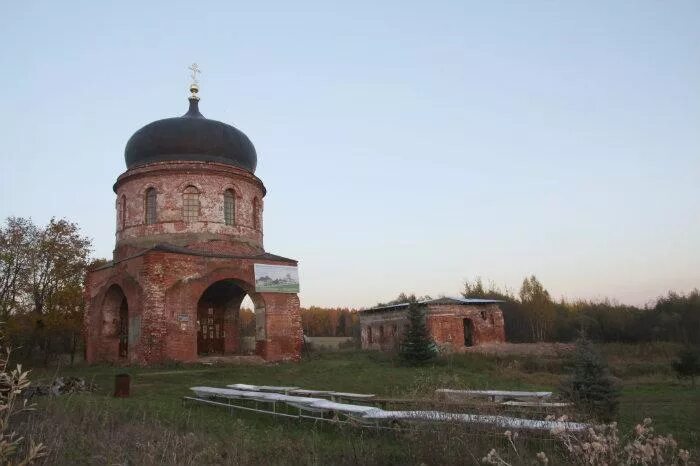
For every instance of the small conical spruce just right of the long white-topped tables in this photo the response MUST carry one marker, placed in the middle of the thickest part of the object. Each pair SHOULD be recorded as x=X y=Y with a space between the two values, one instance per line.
x=591 y=387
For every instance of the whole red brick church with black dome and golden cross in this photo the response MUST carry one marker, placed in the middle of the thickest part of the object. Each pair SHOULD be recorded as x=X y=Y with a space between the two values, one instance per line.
x=189 y=248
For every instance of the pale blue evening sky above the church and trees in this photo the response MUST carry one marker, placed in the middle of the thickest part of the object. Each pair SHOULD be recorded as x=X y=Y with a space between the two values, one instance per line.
x=405 y=146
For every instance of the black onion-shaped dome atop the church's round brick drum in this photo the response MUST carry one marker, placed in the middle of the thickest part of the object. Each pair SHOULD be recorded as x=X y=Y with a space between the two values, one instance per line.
x=190 y=137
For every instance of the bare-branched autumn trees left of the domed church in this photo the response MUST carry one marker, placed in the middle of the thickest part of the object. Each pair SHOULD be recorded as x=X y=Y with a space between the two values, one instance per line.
x=41 y=275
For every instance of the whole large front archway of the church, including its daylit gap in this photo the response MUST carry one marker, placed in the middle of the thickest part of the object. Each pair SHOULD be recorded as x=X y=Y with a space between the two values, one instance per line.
x=229 y=321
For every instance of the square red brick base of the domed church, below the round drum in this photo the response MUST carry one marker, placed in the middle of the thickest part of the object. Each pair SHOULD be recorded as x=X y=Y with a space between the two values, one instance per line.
x=163 y=291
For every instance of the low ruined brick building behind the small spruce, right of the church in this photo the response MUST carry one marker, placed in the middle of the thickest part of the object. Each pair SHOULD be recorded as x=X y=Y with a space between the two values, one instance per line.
x=454 y=322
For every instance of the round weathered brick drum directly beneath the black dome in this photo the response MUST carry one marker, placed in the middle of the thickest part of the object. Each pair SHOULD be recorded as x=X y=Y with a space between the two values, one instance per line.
x=170 y=179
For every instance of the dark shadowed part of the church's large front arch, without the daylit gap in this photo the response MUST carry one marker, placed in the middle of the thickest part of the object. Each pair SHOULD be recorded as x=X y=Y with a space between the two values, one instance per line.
x=218 y=320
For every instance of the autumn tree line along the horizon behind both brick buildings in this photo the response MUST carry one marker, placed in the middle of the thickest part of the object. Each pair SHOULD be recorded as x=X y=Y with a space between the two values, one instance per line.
x=42 y=271
